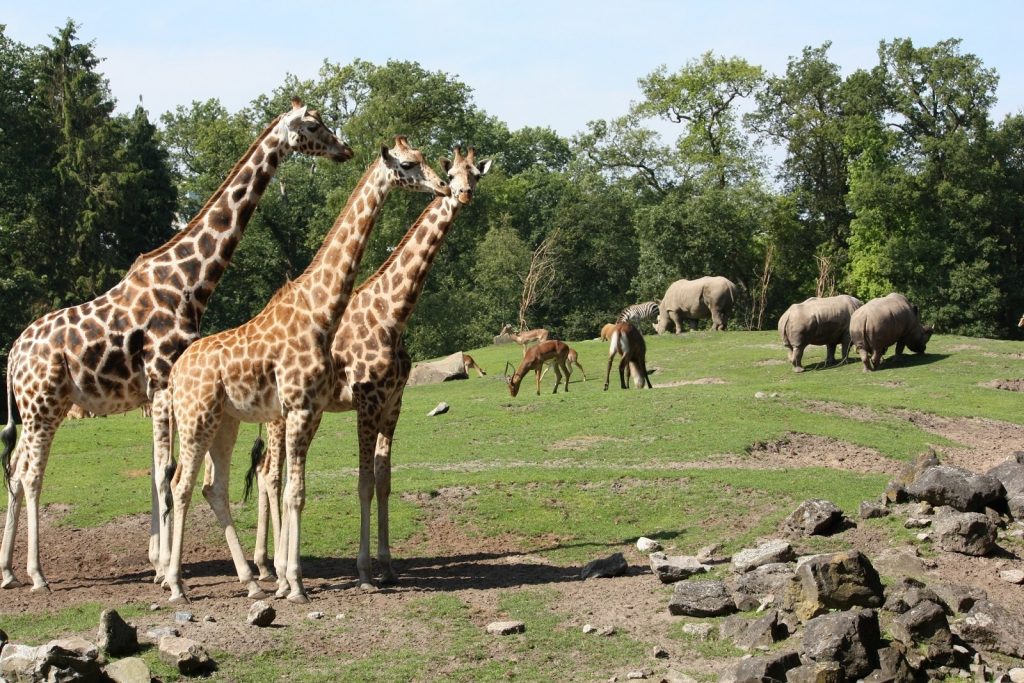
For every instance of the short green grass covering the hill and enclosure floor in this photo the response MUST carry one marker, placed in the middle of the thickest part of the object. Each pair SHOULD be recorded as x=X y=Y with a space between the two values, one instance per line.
x=571 y=477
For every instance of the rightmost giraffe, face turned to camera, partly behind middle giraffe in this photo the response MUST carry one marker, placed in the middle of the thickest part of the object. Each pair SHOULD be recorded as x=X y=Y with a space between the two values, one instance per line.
x=372 y=367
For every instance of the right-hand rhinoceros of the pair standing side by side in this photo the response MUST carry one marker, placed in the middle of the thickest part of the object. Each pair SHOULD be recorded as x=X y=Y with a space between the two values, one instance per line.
x=881 y=323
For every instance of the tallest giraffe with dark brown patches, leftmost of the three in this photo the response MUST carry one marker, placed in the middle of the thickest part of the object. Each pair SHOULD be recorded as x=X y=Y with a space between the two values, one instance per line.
x=115 y=353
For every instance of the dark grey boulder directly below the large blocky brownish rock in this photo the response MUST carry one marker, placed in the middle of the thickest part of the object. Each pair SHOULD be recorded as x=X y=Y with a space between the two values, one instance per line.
x=851 y=638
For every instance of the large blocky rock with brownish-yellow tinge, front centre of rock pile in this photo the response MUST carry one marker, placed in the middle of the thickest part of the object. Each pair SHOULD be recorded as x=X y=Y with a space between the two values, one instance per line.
x=836 y=581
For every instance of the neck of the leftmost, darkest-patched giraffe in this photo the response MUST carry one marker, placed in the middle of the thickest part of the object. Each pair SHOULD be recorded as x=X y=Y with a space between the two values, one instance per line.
x=197 y=258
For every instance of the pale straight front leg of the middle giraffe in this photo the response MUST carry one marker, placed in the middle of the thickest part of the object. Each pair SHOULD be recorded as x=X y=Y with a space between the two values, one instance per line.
x=302 y=426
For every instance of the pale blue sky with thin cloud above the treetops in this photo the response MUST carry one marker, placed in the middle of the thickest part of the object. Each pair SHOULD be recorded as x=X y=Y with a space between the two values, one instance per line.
x=558 y=64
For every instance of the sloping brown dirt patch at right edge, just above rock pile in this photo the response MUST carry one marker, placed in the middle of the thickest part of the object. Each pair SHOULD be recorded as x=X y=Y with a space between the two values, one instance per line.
x=987 y=443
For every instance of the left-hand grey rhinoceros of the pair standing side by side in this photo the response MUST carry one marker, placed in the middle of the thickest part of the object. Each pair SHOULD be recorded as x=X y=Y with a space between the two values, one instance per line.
x=820 y=321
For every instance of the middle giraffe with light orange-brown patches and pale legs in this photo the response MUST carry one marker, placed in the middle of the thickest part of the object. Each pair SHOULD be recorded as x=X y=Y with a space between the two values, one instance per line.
x=278 y=366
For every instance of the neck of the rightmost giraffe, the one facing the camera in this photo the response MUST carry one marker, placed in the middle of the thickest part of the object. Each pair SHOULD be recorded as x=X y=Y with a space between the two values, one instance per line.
x=400 y=281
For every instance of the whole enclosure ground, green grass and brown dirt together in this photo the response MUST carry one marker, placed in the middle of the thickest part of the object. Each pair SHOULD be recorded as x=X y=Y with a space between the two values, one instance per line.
x=500 y=502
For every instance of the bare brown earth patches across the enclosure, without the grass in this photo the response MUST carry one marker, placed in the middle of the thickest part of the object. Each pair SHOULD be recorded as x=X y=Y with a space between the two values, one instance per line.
x=109 y=566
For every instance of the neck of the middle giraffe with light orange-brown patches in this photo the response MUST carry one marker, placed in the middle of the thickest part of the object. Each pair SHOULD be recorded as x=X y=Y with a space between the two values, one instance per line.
x=328 y=281
